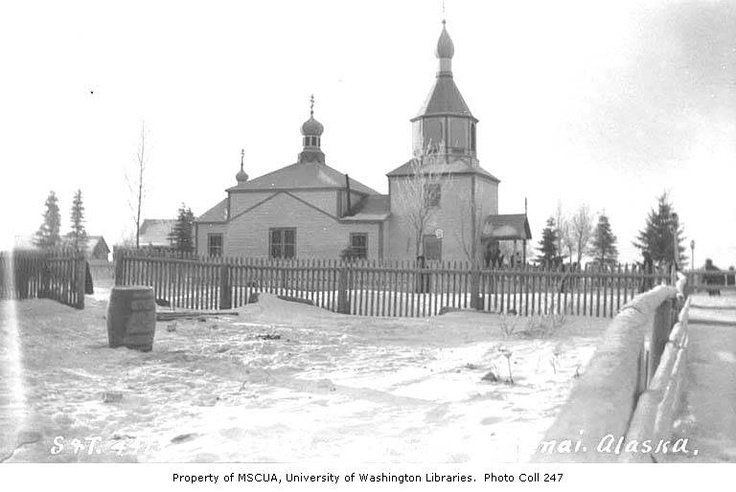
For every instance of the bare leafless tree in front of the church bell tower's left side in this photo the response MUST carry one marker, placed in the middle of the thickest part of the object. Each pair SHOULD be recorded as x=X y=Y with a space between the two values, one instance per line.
x=420 y=193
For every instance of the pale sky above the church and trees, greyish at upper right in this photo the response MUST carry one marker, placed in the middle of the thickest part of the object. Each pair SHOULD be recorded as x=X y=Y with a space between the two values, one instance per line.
x=604 y=104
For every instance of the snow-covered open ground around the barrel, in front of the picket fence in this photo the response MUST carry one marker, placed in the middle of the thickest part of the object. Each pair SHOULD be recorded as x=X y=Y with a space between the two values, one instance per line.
x=284 y=382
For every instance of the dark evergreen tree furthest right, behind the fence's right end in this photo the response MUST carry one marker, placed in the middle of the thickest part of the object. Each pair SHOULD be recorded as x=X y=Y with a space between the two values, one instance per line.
x=661 y=233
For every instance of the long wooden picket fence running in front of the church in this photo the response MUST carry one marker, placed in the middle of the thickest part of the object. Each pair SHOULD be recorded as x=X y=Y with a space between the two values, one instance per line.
x=380 y=288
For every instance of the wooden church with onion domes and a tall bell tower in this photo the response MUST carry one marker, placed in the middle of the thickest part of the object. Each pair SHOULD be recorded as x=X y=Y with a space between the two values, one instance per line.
x=441 y=204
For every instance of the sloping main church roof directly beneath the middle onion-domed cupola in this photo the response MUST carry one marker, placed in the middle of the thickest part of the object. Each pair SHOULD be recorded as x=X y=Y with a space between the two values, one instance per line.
x=301 y=176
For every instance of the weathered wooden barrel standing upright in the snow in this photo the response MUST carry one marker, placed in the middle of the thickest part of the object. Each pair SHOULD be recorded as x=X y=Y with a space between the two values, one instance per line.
x=131 y=317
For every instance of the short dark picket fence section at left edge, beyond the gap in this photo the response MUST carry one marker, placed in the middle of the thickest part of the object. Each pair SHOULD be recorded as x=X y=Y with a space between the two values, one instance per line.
x=57 y=275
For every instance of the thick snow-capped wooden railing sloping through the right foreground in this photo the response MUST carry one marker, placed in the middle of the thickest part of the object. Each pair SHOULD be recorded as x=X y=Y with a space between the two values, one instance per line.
x=639 y=346
